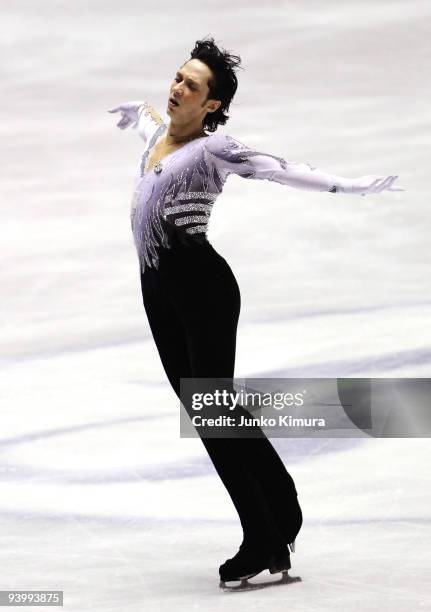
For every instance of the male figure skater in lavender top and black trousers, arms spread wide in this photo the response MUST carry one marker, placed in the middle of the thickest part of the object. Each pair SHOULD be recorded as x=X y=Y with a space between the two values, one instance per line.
x=190 y=294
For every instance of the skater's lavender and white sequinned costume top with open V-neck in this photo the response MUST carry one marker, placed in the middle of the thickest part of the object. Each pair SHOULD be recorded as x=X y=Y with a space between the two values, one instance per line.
x=192 y=177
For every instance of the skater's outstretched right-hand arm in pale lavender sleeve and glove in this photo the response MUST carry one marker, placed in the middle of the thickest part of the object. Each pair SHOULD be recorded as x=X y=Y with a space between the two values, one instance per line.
x=233 y=157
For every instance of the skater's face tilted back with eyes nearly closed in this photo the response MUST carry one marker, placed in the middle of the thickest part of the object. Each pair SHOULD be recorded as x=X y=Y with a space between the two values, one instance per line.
x=189 y=88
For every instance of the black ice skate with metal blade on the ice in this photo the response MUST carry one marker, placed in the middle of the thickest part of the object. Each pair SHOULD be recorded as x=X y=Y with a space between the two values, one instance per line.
x=249 y=562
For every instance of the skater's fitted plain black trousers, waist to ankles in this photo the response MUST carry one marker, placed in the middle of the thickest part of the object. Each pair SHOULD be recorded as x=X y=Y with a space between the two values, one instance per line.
x=193 y=303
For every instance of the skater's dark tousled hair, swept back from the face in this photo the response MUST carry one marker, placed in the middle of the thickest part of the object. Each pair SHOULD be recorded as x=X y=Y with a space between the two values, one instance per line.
x=222 y=84
